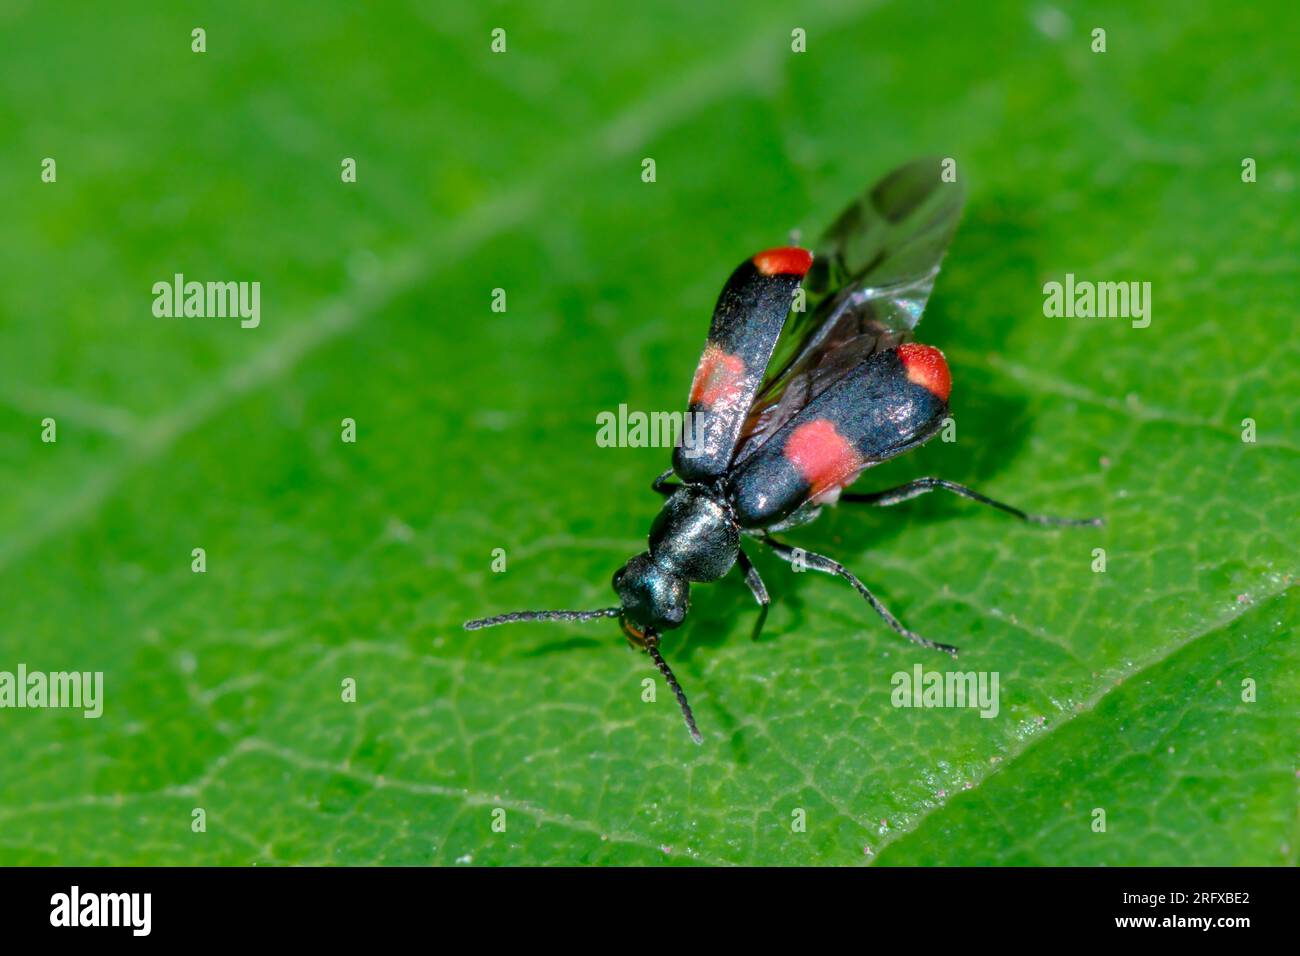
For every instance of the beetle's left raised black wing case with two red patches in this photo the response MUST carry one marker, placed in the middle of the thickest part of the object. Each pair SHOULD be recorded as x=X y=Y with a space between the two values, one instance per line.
x=747 y=325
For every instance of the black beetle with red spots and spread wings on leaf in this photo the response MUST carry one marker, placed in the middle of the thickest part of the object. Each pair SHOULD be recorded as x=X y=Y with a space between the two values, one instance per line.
x=809 y=378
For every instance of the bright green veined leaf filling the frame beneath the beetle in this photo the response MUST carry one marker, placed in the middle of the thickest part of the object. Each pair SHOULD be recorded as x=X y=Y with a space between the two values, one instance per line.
x=522 y=171
